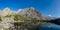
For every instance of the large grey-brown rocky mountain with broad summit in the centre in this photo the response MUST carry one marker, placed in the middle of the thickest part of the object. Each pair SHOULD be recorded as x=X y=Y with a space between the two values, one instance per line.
x=31 y=13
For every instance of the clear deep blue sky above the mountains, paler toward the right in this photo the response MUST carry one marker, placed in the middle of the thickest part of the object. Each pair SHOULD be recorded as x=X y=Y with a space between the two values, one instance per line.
x=45 y=7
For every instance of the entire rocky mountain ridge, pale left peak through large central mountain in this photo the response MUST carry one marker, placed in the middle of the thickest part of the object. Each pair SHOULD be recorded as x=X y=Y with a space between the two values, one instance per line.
x=29 y=13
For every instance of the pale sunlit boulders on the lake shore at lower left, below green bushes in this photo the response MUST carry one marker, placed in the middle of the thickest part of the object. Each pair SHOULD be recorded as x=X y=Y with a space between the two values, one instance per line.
x=6 y=22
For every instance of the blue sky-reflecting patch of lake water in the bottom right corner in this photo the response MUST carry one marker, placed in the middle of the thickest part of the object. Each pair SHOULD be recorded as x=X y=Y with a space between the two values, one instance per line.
x=49 y=27
